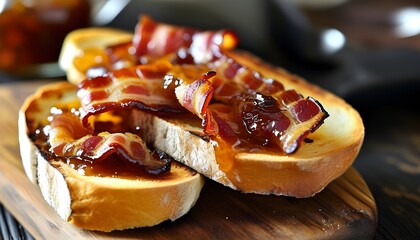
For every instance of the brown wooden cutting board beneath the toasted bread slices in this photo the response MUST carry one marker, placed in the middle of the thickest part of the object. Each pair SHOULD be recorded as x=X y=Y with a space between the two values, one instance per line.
x=346 y=209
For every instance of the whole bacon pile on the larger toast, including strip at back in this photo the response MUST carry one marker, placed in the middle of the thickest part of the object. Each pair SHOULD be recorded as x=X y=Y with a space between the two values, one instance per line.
x=262 y=110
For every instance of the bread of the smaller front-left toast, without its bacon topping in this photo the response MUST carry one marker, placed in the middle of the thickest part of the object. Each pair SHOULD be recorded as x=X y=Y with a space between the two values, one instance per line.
x=100 y=203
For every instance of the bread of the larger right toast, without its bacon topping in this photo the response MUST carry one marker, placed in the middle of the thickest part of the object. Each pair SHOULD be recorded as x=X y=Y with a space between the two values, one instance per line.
x=302 y=174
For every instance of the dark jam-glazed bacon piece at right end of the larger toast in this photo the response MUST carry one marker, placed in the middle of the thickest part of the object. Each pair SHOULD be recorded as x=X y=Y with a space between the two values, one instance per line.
x=270 y=123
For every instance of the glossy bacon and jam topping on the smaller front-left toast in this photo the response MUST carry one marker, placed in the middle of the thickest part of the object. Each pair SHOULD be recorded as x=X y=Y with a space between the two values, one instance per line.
x=106 y=149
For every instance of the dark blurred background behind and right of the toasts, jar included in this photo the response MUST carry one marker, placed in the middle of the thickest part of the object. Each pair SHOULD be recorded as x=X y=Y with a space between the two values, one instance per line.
x=366 y=51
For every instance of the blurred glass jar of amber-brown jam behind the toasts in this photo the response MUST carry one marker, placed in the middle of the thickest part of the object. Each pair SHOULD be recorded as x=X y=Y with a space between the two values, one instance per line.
x=32 y=31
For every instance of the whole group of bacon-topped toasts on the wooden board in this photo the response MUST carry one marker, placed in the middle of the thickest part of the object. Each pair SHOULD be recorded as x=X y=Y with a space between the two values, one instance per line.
x=126 y=141
